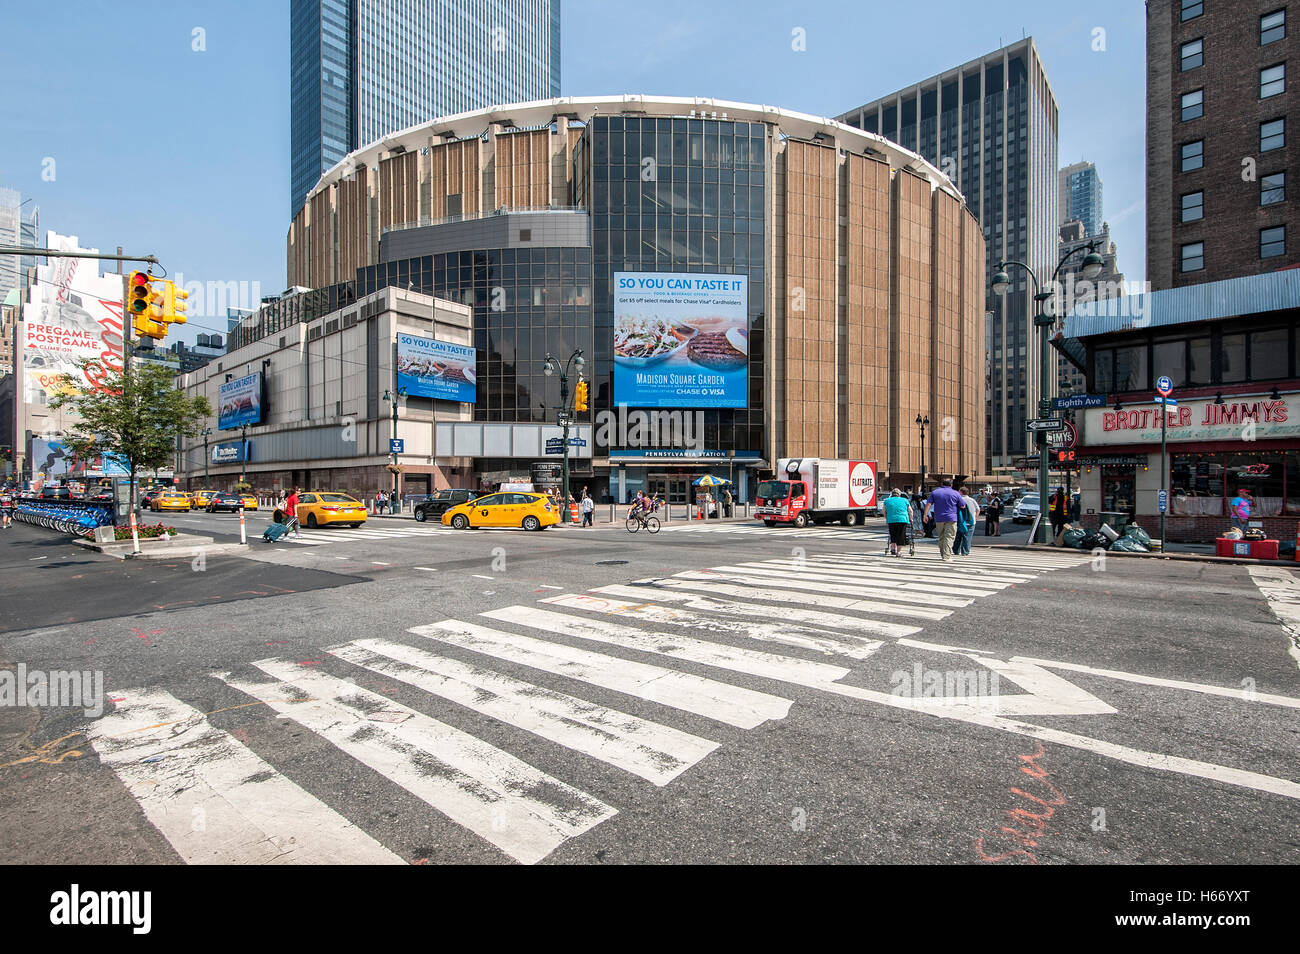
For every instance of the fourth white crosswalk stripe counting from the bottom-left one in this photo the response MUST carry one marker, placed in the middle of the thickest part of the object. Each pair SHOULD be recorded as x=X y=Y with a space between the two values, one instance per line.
x=718 y=701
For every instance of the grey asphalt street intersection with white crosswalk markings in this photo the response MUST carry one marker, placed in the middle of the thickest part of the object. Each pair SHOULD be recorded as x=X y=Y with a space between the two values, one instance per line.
x=710 y=695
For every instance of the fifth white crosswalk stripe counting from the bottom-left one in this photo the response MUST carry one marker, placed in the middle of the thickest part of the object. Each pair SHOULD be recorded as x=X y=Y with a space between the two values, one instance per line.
x=721 y=656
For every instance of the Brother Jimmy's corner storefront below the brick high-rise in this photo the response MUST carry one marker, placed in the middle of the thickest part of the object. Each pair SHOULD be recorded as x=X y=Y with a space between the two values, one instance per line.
x=1233 y=350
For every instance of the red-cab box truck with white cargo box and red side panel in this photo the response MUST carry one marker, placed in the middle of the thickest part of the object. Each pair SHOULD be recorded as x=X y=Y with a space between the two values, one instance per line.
x=818 y=491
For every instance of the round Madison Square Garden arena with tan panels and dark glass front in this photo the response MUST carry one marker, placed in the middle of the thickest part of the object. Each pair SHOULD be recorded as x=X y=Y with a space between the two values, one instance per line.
x=746 y=284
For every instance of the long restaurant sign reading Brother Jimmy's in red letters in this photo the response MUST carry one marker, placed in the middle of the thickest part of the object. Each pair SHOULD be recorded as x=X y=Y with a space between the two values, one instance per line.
x=1241 y=418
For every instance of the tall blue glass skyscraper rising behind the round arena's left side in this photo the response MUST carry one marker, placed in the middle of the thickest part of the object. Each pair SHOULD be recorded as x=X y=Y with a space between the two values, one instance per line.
x=362 y=70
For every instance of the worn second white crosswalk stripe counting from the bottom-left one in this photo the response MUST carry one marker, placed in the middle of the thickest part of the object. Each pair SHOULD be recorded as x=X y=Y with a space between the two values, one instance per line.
x=505 y=801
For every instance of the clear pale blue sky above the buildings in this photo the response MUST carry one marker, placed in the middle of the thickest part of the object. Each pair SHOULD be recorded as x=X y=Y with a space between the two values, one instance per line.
x=188 y=158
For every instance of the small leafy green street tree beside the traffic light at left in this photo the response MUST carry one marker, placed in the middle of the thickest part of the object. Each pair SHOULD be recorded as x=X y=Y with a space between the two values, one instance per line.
x=136 y=414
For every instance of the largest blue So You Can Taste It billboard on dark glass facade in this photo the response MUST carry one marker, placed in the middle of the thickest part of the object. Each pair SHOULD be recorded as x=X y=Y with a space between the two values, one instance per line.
x=681 y=340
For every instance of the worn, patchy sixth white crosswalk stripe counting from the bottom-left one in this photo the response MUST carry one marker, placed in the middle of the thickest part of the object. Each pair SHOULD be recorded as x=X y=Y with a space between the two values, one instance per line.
x=820 y=640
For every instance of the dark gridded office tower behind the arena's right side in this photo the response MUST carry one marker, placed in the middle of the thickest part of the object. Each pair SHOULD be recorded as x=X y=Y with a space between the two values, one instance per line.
x=991 y=127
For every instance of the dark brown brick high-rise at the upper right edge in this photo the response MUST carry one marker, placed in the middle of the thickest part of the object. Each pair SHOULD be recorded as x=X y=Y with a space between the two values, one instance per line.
x=1221 y=140
